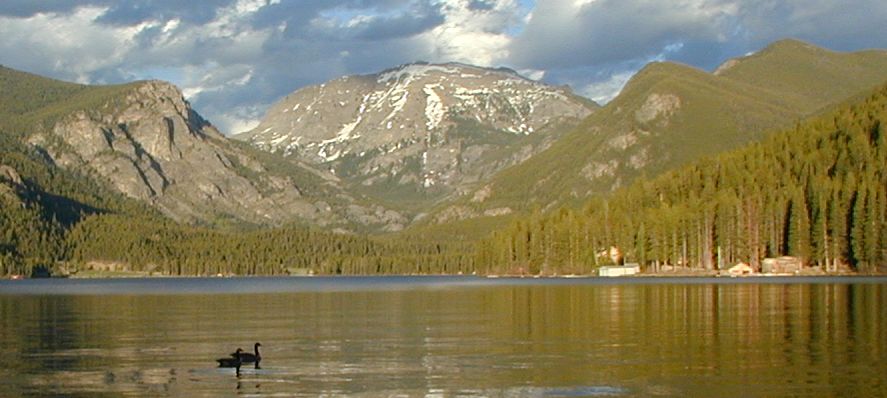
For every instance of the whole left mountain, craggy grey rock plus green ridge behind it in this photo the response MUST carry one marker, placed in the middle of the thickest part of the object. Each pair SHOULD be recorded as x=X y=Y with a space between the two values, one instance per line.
x=143 y=140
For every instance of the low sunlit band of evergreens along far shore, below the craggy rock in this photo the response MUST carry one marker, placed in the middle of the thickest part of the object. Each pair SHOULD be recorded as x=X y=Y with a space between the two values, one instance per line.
x=162 y=246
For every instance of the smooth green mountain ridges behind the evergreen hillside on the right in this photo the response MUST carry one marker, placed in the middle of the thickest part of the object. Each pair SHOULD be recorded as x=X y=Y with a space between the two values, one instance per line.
x=670 y=114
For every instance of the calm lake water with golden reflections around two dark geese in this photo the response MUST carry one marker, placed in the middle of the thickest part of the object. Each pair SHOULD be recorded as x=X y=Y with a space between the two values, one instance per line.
x=446 y=336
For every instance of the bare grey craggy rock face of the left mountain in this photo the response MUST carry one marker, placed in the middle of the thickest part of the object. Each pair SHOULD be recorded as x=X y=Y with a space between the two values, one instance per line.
x=153 y=147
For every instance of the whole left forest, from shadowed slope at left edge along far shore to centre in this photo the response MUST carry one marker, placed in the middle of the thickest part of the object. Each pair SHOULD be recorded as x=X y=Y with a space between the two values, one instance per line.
x=55 y=221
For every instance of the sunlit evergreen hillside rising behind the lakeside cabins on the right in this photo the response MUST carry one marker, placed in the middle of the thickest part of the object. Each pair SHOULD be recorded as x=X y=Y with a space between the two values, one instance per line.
x=817 y=191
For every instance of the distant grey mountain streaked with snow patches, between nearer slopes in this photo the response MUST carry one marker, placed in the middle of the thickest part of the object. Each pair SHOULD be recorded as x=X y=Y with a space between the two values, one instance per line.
x=417 y=133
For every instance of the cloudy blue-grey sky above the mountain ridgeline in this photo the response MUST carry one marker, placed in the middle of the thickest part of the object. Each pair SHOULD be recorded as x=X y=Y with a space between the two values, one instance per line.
x=233 y=58
